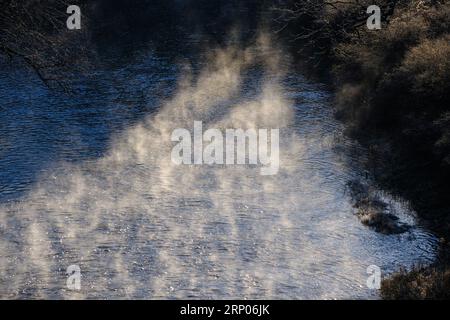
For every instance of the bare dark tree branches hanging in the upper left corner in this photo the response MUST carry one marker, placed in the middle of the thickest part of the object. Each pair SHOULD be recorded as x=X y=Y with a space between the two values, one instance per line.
x=35 y=32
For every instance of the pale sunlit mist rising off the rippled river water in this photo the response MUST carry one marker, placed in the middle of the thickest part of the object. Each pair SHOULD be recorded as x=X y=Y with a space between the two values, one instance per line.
x=141 y=227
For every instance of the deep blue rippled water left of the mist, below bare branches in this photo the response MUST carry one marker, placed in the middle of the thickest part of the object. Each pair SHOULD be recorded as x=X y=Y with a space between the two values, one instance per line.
x=40 y=127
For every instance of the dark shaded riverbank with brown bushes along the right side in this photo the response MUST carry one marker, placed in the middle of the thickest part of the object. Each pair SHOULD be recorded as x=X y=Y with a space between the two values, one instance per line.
x=392 y=91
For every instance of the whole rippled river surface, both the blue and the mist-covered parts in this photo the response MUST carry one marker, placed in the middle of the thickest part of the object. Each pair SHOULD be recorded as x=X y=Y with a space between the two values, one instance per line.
x=87 y=180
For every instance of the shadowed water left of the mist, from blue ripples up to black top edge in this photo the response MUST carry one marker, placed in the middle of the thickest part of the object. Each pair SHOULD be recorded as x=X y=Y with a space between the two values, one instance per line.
x=136 y=49
